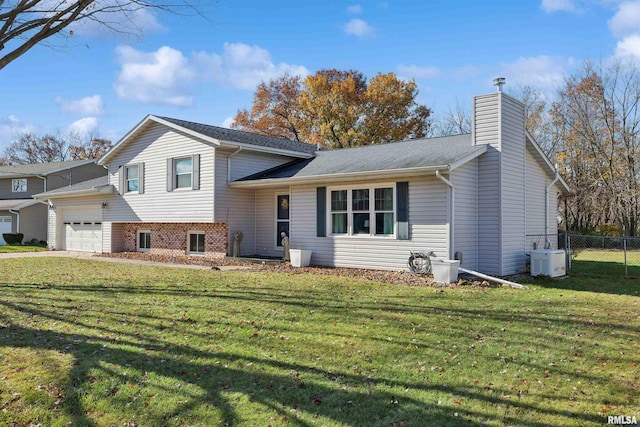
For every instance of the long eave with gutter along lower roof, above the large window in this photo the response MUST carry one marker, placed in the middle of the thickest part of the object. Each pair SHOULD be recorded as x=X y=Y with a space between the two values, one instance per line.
x=343 y=177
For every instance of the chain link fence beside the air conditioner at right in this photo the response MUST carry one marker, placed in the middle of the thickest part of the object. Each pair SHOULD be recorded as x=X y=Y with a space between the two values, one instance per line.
x=593 y=255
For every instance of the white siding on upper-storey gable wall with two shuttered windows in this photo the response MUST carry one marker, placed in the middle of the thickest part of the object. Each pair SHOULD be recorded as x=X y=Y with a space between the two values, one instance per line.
x=153 y=147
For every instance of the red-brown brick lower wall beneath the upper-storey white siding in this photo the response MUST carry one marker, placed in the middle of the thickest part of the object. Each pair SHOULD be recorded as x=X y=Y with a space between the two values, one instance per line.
x=171 y=239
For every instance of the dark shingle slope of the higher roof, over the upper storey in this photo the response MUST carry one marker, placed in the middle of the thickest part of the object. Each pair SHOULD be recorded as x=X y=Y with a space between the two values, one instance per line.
x=234 y=135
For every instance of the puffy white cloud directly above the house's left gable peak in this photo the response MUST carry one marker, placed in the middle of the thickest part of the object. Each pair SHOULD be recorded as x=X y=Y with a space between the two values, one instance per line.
x=160 y=77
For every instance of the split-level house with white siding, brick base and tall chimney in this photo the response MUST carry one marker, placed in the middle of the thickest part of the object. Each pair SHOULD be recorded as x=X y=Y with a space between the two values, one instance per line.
x=177 y=187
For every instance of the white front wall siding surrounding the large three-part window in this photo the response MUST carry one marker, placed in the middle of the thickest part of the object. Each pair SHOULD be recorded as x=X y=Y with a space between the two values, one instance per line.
x=428 y=207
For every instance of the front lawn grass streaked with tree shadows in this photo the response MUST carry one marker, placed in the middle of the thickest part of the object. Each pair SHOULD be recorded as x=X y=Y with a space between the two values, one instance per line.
x=88 y=343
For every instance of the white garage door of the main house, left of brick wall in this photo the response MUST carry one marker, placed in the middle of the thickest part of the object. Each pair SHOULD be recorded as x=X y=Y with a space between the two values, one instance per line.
x=82 y=229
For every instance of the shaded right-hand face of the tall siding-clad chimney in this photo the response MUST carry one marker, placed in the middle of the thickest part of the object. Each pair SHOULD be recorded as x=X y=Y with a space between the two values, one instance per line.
x=513 y=187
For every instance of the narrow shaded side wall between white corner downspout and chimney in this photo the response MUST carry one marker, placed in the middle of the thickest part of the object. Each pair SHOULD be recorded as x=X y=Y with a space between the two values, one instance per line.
x=464 y=180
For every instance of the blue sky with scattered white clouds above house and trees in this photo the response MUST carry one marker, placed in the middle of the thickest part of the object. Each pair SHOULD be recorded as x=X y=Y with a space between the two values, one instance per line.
x=204 y=70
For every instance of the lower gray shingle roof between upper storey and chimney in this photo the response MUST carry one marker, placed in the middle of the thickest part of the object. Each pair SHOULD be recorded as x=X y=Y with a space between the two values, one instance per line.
x=417 y=153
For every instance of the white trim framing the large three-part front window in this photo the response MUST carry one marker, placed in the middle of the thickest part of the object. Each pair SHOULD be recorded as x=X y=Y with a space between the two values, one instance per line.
x=372 y=211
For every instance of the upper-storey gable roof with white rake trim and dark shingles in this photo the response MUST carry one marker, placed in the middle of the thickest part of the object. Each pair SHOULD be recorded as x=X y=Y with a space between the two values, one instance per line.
x=219 y=136
